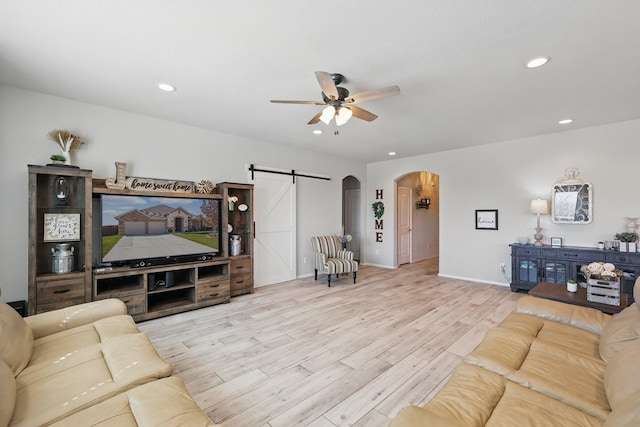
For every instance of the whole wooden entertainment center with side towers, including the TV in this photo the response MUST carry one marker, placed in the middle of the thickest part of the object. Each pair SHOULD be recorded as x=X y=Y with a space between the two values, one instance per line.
x=197 y=268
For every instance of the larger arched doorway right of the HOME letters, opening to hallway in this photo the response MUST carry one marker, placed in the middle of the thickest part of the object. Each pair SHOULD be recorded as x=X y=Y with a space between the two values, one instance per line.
x=417 y=218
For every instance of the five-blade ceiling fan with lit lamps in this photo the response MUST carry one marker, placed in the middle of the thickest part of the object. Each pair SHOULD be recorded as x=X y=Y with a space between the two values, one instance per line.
x=339 y=103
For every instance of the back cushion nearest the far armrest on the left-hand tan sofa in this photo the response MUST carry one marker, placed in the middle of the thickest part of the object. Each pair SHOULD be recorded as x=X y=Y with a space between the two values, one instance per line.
x=16 y=339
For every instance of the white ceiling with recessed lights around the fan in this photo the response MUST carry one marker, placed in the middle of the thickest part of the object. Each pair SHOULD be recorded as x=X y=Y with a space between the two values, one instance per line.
x=459 y=64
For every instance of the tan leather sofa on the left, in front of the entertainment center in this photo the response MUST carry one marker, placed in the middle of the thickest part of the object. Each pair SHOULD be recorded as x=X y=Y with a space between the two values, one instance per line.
x=87 y=365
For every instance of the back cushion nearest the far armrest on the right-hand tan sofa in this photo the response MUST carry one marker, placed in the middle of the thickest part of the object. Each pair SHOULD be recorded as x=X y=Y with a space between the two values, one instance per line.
x=622 y=330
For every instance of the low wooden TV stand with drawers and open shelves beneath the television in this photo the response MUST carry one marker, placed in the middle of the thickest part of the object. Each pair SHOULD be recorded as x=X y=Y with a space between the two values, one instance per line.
x=151 y=292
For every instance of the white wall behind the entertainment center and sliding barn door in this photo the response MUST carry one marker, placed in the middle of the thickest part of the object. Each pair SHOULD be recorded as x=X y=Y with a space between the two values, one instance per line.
x=151 y=148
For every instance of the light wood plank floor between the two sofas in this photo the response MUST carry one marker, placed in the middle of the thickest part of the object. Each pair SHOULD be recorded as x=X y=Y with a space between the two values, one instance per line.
x=300 y=353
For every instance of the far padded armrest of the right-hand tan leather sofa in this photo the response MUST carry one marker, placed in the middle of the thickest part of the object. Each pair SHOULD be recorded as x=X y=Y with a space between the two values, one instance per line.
x=589 y=319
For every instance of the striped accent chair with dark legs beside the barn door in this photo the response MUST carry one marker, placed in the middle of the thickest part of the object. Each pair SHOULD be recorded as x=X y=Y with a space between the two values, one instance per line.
x=330 y=258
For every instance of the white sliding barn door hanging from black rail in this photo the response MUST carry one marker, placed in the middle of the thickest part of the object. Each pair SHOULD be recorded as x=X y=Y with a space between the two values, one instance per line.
x=274 y=198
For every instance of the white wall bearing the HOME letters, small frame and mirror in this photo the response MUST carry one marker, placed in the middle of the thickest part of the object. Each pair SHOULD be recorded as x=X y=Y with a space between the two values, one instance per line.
x=506 y=176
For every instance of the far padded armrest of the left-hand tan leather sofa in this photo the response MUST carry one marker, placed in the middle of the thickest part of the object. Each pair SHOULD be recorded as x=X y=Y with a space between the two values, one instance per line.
x=55 y=321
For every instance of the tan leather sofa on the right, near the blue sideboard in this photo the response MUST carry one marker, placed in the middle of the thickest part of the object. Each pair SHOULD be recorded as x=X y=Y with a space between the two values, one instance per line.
x=546 y=364
